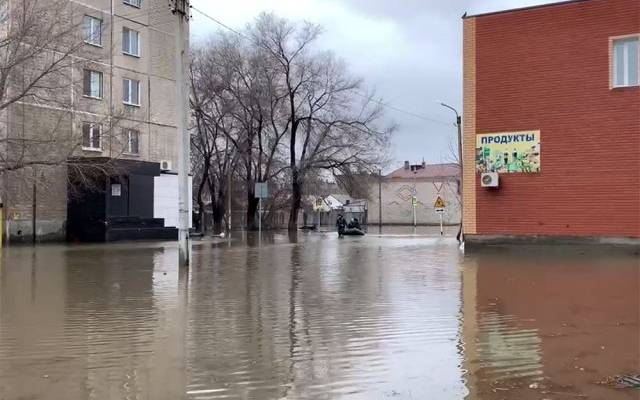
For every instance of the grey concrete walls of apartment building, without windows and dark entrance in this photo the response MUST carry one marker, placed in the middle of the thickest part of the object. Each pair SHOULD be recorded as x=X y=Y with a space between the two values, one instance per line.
x=154 y=117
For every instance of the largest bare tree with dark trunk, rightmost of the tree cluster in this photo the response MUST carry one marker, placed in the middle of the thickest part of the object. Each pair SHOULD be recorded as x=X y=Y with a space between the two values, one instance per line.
x=330 y=124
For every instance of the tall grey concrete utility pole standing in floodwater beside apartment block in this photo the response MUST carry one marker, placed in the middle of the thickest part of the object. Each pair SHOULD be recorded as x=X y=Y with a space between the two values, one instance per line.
x=180 y=8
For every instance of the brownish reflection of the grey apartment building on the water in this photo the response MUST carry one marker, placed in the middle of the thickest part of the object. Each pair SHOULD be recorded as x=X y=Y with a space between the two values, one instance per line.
x=86 y=323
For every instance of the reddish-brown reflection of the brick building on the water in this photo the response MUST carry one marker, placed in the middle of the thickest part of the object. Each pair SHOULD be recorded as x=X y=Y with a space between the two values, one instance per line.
x=550 y=323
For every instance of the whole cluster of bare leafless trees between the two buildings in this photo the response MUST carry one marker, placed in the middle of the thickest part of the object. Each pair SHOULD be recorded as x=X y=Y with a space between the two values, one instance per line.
x=290 y=113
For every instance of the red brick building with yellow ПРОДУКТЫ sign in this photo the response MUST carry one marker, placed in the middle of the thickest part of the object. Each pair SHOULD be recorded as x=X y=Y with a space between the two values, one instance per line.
x=565 y=76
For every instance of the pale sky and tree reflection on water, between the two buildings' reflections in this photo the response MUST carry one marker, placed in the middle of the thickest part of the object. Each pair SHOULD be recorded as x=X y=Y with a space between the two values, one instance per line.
x=325 y=318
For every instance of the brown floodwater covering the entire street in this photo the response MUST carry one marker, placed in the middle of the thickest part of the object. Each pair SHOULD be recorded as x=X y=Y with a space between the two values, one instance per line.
x=316 y=317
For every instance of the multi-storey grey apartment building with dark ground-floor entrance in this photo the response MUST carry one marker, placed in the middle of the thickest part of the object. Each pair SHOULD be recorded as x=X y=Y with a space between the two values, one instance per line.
x=121 y=104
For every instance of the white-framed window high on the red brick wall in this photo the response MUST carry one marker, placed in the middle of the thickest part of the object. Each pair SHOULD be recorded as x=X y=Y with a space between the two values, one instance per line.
x=626 y=62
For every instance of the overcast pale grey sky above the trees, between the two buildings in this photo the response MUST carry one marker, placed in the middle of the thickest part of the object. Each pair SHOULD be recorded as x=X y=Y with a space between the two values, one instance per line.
x=409 y=51
